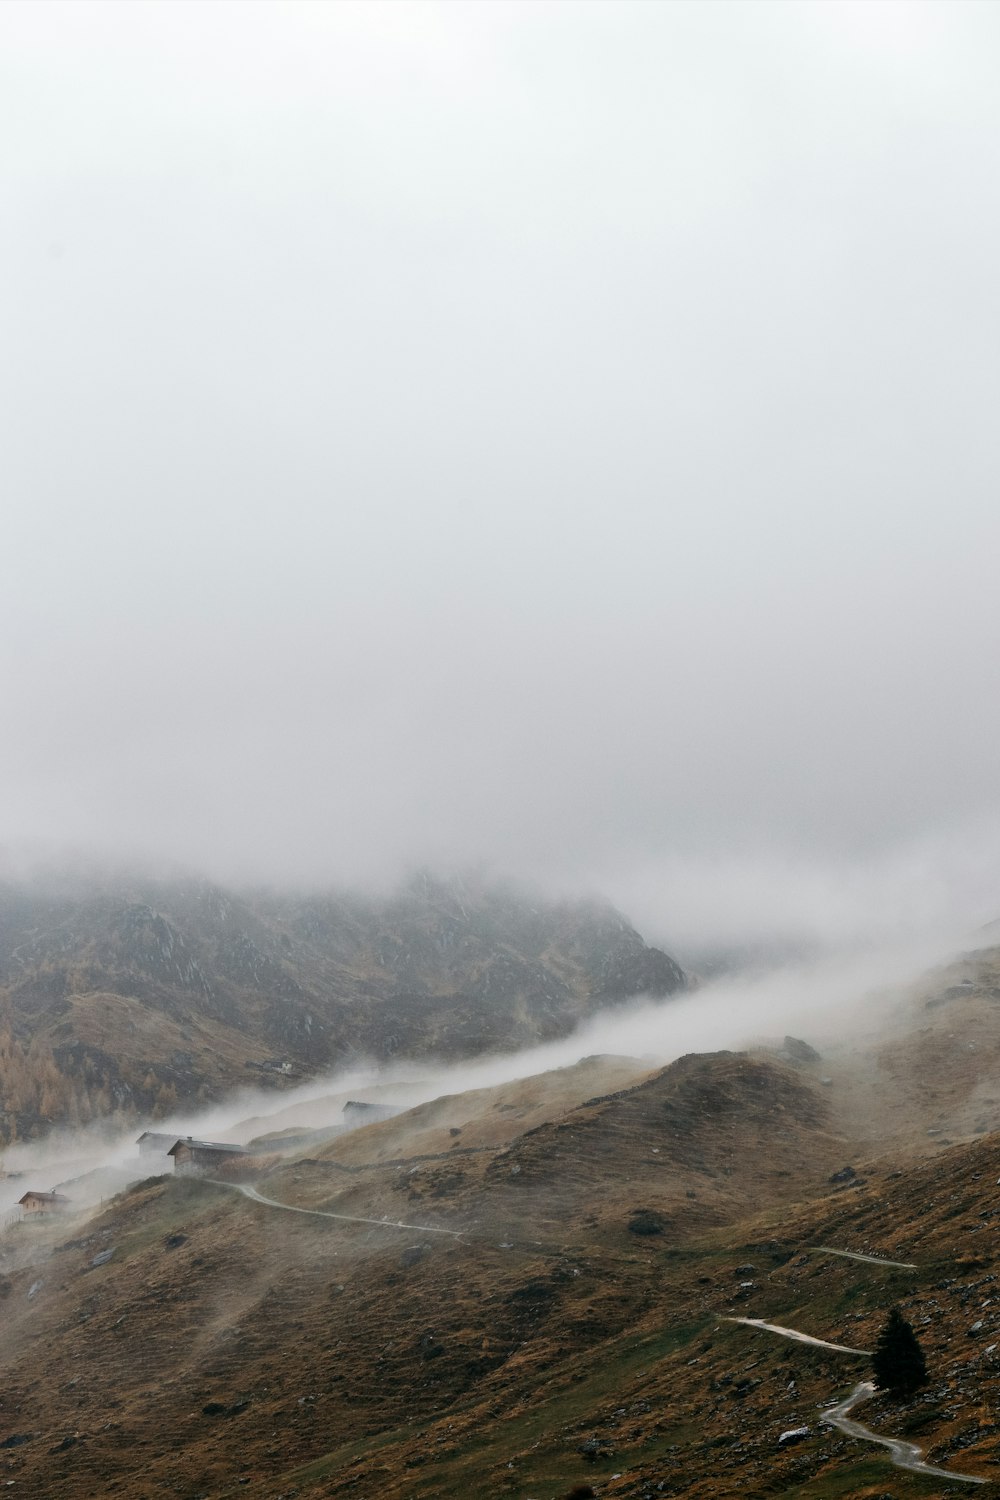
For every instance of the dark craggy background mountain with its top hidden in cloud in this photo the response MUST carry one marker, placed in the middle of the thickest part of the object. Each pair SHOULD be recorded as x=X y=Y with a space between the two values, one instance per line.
x=142 y=995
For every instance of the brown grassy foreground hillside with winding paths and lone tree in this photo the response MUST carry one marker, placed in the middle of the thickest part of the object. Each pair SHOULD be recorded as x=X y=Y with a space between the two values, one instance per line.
x=490 y=1297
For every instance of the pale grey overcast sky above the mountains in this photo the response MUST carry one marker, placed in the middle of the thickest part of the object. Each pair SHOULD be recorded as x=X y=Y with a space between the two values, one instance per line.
x=554 y=436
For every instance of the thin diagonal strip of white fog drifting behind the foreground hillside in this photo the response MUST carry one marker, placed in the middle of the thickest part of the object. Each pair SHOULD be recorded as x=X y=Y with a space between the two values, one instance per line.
x=836 y=1003
